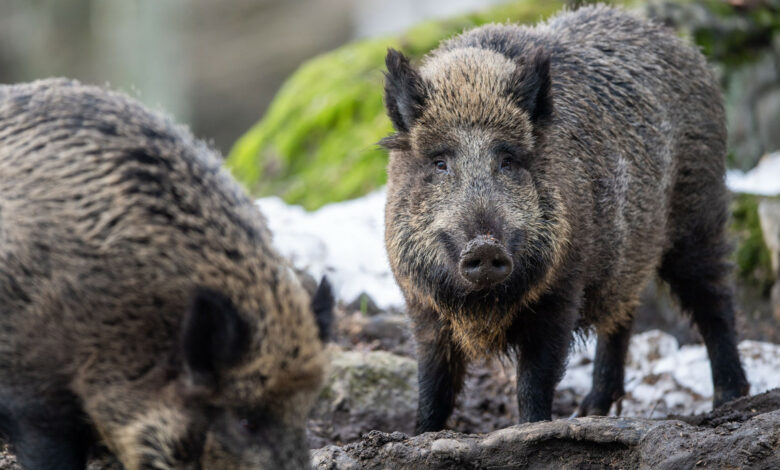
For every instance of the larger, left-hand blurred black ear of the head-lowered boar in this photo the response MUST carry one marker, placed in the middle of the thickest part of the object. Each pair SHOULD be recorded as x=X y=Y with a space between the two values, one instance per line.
x=214 y=337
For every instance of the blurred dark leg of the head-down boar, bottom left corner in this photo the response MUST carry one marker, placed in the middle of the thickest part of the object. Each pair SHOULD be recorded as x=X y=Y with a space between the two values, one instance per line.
x=47 y=437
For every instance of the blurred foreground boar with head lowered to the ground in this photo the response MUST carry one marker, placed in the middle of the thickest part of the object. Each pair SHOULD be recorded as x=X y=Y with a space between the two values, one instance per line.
x=142 y=305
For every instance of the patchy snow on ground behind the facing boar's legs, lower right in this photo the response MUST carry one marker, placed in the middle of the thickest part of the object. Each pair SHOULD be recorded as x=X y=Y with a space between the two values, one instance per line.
x=663 y=378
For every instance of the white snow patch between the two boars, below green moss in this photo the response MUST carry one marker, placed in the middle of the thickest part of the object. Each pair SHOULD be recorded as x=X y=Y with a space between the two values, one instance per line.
x=343 y=240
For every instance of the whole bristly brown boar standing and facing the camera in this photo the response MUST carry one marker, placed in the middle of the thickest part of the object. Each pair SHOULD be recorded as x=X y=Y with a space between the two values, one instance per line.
x=538 y=178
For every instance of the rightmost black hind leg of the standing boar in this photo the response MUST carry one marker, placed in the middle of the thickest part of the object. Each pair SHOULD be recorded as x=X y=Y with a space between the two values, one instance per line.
x=698 y=274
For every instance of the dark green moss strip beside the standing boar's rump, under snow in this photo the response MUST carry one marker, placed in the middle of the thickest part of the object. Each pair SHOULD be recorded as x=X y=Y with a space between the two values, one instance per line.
x=752 y=256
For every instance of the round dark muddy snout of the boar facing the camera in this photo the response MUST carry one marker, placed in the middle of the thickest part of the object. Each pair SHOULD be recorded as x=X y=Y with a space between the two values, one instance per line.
x=484 y=262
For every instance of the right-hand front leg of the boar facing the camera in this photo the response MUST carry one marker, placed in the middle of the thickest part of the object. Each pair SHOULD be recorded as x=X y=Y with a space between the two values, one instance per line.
x=542 y=345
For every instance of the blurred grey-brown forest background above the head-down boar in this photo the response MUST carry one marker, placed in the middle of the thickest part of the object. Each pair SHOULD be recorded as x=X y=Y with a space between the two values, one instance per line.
x=215 y=65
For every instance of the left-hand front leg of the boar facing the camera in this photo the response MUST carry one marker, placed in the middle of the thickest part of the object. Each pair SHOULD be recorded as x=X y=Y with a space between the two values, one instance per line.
x=441 y=371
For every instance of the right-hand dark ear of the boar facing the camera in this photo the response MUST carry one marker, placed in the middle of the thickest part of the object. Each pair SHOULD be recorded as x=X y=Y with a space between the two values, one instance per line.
x=530 y=86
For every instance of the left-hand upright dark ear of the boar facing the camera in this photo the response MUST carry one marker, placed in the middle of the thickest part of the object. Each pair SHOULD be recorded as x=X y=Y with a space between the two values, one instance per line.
x=404 y=91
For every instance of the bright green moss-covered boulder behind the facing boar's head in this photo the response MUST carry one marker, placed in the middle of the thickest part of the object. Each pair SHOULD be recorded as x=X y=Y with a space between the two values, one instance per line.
x=317 y=141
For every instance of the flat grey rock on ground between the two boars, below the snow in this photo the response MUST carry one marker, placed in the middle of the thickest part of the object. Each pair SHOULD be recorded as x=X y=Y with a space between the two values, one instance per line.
x=365 y=391
